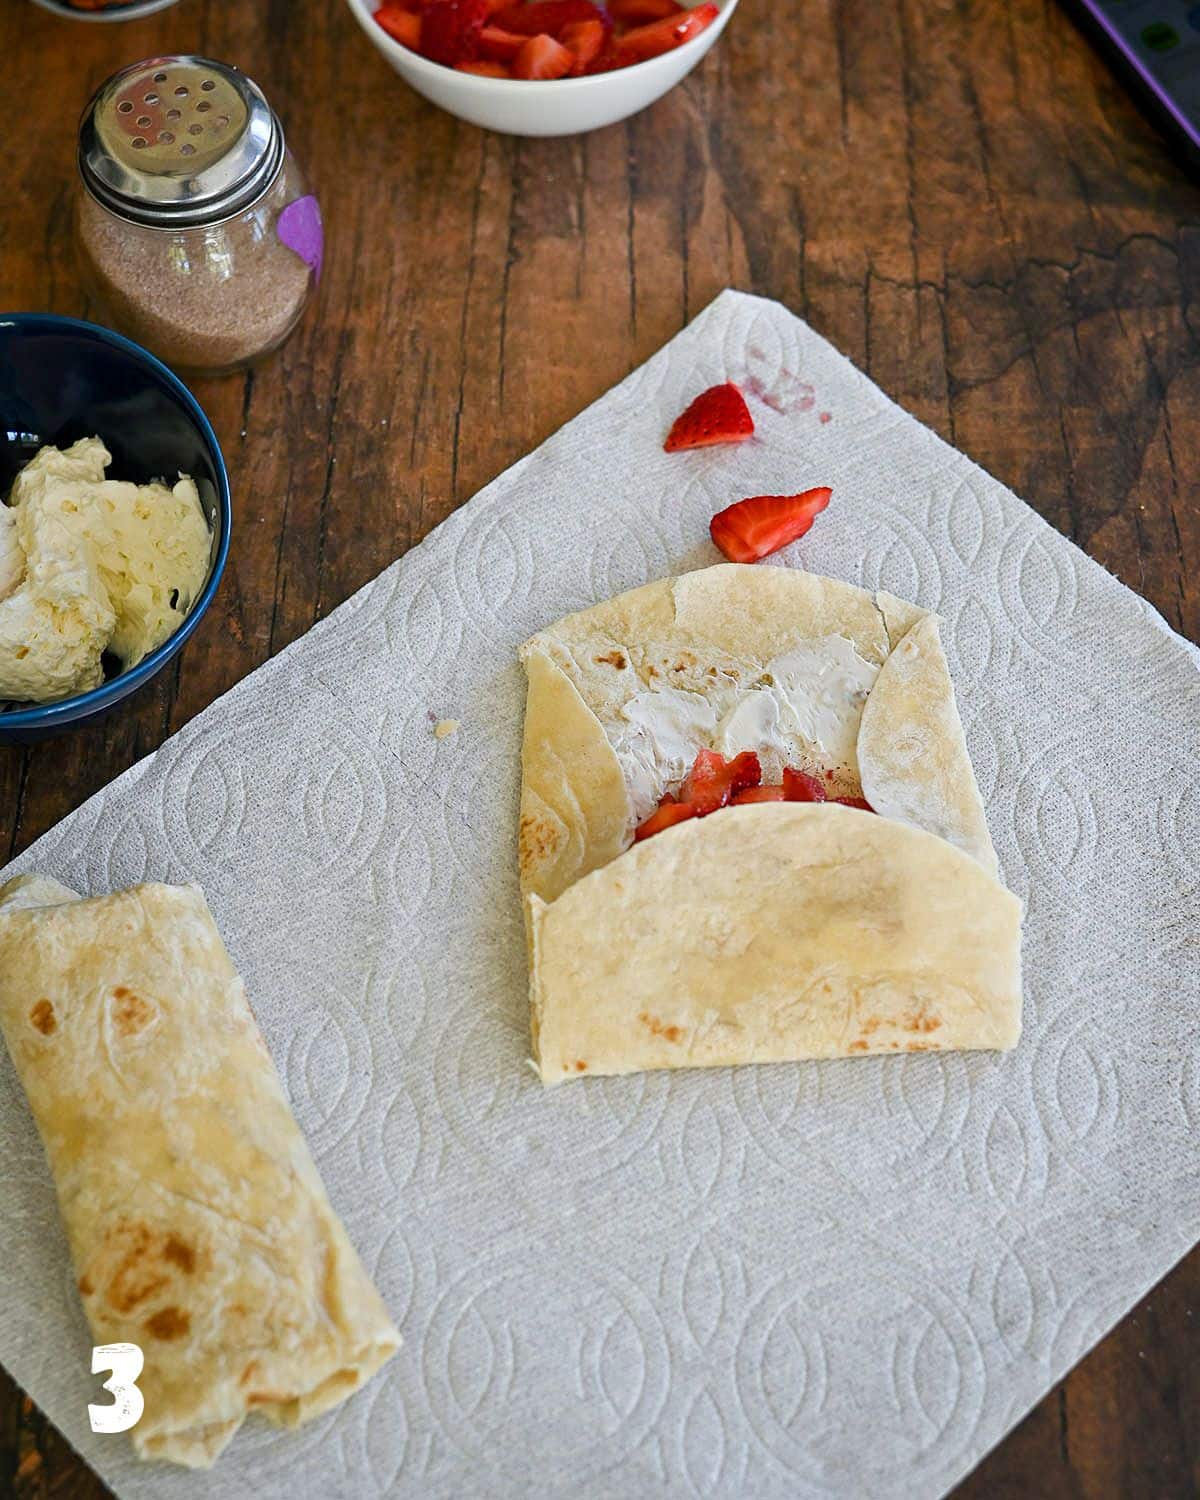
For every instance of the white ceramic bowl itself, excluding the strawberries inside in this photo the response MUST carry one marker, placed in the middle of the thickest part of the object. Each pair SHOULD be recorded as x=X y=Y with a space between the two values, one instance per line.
x=544 y=107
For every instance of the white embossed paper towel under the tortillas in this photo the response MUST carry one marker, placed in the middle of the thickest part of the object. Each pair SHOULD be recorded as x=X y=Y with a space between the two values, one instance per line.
x=836 y=1279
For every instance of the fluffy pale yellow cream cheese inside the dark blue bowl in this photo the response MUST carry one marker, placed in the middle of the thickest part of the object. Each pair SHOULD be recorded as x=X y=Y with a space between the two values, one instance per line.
x=89 y=566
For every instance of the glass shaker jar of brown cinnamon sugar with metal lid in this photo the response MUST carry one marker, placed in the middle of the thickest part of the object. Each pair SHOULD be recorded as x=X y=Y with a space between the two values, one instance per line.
x=196 y=229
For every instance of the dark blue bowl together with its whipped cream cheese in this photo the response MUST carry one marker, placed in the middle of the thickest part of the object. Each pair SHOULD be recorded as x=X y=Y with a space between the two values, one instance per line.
x=101 y=584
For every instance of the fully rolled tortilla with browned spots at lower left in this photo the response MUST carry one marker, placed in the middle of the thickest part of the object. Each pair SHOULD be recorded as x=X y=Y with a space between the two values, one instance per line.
x=197 y=1220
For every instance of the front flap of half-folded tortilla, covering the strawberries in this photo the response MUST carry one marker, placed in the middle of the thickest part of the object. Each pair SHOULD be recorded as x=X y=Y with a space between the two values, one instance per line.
x=770 y=934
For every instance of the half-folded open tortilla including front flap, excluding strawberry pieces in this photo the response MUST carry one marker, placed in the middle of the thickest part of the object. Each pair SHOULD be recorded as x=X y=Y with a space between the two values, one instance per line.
x=808 y=673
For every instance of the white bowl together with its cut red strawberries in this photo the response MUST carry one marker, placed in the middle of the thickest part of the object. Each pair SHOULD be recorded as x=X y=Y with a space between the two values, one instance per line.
x=542 y=67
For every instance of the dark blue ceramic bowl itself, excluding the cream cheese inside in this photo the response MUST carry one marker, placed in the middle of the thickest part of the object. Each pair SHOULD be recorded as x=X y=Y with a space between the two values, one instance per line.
x=64 y=380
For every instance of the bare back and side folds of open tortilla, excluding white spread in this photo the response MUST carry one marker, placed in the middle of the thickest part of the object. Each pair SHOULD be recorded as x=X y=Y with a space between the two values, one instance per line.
x=728 y=623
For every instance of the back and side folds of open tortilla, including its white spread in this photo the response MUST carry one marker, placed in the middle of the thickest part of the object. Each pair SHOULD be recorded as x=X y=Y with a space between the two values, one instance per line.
x=715 y=637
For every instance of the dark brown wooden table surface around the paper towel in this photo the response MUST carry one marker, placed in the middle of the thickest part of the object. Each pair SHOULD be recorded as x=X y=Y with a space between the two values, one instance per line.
x=955 y=193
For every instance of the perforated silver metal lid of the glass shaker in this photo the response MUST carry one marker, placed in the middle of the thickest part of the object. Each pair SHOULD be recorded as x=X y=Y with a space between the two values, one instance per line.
x=179 y=142
